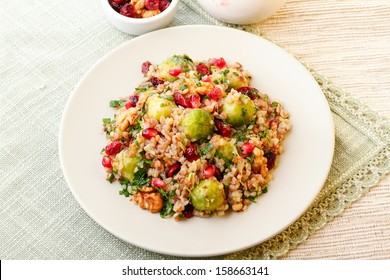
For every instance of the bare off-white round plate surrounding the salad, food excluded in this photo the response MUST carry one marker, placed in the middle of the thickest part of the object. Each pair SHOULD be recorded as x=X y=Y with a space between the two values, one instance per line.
x=302 y=169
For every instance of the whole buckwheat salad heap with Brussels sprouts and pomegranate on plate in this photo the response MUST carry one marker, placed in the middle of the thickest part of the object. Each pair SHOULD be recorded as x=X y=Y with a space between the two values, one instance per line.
x=194 y=139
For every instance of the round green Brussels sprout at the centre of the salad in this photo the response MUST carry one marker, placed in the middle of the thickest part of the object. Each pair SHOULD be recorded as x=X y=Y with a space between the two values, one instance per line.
x=197 y=124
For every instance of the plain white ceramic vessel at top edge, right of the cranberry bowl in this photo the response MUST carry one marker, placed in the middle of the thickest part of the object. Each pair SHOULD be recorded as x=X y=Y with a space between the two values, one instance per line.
x=241 y=11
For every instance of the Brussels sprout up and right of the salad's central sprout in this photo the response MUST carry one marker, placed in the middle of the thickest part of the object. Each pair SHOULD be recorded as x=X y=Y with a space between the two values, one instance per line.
x=238 y=112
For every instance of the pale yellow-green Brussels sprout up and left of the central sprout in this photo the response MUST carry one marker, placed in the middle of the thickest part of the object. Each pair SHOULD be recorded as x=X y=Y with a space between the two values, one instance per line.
x=159 y=105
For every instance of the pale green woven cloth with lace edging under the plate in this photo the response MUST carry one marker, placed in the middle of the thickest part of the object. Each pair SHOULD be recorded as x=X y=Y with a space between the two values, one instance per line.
x=41 y=64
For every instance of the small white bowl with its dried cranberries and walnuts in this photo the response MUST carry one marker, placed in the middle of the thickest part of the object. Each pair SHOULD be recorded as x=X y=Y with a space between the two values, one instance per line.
x=139 y=16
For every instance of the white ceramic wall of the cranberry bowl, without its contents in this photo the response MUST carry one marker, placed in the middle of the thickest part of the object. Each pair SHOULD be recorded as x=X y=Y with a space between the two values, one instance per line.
x=138 y=26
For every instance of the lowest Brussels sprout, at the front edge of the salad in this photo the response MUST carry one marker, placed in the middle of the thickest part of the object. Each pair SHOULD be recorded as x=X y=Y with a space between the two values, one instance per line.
x=208 y=195
